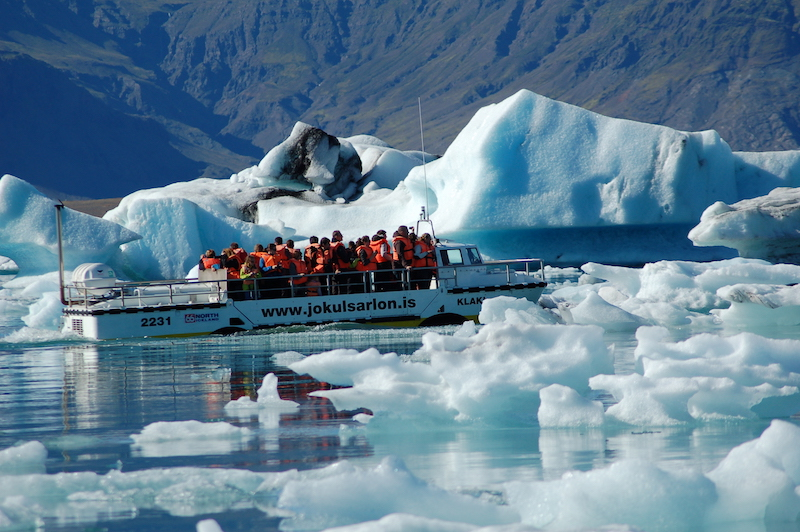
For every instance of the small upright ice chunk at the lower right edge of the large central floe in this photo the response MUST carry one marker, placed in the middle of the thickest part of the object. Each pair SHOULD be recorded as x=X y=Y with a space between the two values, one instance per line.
x=564 y=407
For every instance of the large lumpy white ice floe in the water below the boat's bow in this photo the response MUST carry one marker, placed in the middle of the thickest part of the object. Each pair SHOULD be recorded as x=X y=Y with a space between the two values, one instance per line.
x=483 y=375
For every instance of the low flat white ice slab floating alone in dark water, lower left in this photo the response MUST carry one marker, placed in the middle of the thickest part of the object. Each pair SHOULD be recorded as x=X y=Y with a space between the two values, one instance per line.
x=189 y=438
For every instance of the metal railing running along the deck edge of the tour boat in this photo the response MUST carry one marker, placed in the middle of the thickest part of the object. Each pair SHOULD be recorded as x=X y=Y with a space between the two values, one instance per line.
x=135 y=294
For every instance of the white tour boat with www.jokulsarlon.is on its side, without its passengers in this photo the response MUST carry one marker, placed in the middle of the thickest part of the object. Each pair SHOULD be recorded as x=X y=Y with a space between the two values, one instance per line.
x=99 y=306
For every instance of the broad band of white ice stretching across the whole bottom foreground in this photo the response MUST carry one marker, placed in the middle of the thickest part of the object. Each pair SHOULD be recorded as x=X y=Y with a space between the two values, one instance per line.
x=756 y=485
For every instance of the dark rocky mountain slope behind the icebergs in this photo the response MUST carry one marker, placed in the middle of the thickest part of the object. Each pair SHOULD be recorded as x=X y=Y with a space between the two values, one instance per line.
x=102 y=97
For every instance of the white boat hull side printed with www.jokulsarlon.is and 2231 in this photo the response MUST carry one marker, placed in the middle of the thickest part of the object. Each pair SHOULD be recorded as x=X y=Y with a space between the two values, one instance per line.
x=405 y=308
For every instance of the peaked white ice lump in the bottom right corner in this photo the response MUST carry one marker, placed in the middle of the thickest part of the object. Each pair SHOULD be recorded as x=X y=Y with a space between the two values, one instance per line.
x=758 y=480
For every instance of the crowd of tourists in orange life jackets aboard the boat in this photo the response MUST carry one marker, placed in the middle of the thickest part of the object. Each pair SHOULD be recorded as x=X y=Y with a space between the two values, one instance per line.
x=327 y=265
